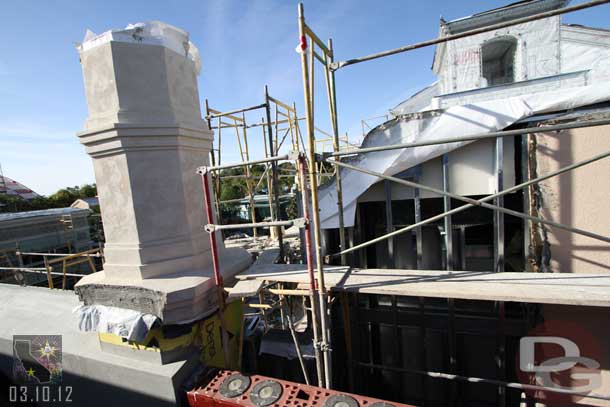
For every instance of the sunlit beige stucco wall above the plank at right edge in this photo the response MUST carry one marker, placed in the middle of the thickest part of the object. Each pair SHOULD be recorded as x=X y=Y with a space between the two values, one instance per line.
x=580 y=198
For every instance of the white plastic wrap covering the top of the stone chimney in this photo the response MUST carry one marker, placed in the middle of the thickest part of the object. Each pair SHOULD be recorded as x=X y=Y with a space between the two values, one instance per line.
x=150 y=33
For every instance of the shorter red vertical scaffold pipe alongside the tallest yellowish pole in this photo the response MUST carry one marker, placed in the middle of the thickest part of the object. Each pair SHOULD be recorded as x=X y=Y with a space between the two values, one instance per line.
x=309 y=259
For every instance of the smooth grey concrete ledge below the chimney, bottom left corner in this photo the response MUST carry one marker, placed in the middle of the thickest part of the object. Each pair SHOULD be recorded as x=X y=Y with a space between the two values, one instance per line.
x=95 y=376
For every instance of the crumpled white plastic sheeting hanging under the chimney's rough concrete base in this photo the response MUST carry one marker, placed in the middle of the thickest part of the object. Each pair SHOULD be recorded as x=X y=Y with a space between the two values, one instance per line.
x=129 y=324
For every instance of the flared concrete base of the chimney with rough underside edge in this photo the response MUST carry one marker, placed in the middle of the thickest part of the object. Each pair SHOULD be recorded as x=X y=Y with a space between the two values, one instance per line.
x=175 y=299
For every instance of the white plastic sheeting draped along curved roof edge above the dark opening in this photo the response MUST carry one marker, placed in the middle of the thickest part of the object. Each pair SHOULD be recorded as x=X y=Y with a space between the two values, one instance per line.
x=455 y=122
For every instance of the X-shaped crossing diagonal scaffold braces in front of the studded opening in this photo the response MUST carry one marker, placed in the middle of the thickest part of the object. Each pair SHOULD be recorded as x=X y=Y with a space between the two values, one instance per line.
x=480 y=202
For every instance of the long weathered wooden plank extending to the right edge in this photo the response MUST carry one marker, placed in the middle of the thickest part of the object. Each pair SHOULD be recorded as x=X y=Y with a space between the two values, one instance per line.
x=568 y=289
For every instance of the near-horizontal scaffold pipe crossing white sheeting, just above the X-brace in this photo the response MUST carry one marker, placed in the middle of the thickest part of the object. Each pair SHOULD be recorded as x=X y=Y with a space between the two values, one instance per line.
x=494 y=134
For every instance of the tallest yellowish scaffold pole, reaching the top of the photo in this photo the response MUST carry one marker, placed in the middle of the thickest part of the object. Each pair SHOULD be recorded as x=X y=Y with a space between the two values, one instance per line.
x=325 y=348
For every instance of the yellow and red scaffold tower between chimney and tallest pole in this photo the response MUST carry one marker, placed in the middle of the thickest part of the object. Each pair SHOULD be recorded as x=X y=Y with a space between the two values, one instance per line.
x=283 y=114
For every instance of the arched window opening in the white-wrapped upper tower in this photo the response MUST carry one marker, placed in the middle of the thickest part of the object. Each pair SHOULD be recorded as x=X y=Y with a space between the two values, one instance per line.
x=498 y=60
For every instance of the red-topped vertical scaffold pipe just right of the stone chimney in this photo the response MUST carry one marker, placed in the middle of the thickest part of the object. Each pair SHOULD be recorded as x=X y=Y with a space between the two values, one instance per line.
x=217 y=274
